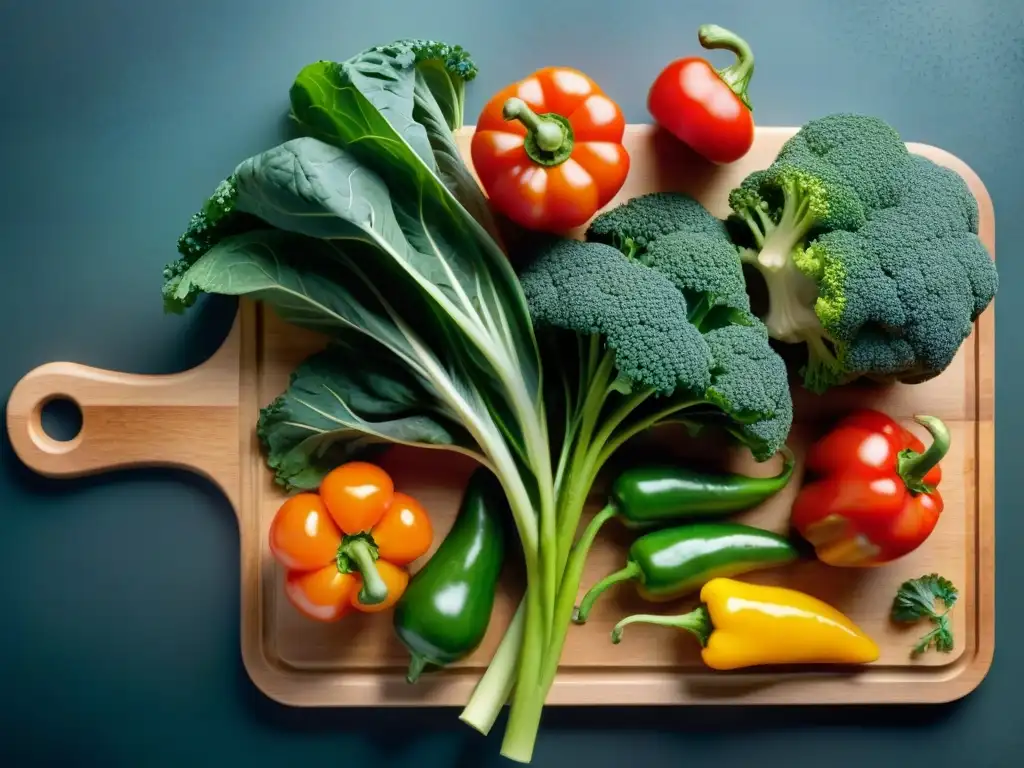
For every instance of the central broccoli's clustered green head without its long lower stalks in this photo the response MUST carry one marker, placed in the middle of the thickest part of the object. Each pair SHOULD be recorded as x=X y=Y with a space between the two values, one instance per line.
x=659 y=285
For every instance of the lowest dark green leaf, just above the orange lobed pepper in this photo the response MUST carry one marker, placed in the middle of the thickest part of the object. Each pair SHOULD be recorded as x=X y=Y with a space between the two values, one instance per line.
x=347 y=403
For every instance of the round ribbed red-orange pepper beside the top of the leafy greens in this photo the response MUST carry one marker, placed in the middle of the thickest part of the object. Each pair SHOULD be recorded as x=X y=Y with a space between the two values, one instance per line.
x=548 y=150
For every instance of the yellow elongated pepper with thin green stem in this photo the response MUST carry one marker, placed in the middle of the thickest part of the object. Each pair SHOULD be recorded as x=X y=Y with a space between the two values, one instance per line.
x=746 y=625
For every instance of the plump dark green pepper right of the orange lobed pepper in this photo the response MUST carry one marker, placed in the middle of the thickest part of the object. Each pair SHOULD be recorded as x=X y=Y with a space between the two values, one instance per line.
x=445 y=613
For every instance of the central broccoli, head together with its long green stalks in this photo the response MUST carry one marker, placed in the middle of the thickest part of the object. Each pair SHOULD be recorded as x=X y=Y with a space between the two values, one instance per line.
x=617 y=323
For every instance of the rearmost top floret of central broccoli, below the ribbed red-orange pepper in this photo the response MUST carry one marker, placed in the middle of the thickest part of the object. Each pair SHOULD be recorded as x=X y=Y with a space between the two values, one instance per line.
x=633 y=226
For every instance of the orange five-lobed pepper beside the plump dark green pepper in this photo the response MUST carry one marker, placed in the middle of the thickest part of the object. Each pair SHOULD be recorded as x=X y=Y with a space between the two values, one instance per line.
x=348 y=546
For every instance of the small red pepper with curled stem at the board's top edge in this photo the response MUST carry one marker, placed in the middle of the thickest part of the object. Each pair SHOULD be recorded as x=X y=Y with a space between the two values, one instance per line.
x=708 y=109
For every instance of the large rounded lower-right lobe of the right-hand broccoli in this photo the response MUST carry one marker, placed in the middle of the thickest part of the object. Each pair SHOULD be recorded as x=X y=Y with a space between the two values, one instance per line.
x=903 y=293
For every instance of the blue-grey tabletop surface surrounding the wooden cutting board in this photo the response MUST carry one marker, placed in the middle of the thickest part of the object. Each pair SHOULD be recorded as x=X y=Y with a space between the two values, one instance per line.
x=120 y=594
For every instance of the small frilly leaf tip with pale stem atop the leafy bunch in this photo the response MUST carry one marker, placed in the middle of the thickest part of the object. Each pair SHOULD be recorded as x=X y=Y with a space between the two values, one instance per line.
x=446 y=68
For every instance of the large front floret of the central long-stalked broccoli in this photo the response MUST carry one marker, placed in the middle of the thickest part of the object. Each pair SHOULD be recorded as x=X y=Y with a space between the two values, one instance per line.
x=592 y=288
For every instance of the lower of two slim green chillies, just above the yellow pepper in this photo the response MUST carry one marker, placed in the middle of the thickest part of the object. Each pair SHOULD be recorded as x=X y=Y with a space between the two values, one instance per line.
x=669 y=564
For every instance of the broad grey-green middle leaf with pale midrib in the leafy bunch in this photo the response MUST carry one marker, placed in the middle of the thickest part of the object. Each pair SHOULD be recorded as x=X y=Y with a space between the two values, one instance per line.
x=315 y=189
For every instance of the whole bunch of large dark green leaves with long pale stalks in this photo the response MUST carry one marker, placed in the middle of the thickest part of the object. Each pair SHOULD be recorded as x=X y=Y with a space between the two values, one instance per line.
x=372 y=230
